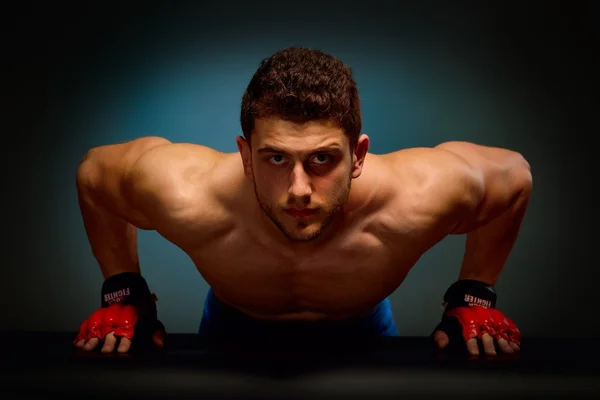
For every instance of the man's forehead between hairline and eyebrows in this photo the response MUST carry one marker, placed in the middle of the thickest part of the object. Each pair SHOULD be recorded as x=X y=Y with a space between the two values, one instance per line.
x=297 y=136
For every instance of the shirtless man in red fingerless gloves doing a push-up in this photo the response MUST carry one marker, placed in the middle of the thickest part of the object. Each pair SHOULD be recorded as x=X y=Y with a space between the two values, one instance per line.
x=303 y=231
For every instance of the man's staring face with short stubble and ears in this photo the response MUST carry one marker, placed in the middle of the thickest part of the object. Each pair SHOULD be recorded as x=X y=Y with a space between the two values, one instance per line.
x=302 y=174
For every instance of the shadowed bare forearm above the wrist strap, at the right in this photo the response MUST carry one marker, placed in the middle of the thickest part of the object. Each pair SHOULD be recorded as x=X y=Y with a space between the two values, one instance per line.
x=489 y=246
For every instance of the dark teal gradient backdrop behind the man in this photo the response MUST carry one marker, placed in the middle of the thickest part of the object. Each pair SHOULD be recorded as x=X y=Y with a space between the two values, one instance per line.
x=114 y=74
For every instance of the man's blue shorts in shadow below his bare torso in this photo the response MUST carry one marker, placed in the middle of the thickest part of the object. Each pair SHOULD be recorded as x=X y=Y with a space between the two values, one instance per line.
x=220 y=320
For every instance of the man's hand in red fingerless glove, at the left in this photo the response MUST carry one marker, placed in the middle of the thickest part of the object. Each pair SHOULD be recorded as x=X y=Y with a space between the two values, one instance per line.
x=109 y=324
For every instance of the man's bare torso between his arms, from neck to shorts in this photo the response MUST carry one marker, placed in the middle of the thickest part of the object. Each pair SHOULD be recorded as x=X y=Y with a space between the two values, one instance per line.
x=374 y=247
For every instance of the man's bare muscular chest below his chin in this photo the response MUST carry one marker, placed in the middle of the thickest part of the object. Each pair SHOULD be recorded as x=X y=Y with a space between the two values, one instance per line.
x=357 y=264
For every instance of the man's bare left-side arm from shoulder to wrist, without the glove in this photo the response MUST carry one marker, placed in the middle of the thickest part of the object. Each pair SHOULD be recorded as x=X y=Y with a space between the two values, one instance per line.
x=147 y=183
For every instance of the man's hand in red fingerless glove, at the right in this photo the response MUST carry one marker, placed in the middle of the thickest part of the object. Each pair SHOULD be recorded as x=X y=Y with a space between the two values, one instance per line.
x=476 y=324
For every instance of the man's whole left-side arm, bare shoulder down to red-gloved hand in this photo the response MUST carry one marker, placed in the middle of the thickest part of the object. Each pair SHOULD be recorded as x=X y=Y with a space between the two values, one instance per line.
x=145 y=183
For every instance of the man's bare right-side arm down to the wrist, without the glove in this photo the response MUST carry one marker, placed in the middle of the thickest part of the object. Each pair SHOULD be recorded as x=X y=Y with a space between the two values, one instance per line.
x=493 y=224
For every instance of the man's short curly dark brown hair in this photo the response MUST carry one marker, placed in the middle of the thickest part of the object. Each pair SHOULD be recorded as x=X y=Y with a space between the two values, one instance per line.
x=302 y=84
